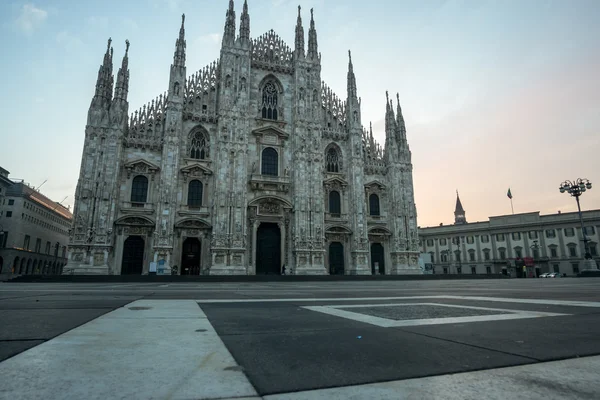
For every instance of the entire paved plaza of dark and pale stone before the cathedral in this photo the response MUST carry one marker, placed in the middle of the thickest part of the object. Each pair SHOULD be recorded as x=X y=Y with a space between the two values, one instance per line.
x=475 y=339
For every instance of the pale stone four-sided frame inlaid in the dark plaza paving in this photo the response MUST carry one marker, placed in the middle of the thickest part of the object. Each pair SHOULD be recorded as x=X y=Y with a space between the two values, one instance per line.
x=339 y=311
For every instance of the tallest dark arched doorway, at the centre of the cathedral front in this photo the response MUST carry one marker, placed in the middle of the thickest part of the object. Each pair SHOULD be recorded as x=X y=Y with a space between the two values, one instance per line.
x=268 y=249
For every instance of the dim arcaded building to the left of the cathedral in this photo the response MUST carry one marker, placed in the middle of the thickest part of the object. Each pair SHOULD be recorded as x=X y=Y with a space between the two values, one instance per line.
x=35 y=230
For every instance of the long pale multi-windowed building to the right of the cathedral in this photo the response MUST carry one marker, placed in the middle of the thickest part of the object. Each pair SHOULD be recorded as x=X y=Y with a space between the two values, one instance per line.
x=512 y=244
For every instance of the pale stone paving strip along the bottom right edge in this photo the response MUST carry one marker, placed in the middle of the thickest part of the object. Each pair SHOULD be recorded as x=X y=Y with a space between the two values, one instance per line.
x=556 y=380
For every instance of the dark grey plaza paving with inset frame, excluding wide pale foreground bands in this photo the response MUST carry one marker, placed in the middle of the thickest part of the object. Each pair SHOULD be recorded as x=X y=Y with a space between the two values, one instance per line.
x=298 y=336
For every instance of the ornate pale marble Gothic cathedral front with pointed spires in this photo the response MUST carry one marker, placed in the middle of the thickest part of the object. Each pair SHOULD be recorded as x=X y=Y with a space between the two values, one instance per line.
x=251 y=165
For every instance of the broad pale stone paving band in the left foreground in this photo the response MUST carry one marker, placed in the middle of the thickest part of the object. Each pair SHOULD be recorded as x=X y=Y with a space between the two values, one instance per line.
x=149 y=349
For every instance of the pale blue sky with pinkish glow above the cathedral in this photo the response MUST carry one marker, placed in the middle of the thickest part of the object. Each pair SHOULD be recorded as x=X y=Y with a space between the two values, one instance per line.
x=495 y=94
